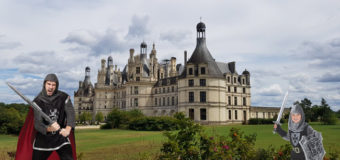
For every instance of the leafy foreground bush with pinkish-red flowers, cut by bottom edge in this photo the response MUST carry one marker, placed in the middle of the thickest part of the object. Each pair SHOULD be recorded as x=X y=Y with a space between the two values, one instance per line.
x=191 y=142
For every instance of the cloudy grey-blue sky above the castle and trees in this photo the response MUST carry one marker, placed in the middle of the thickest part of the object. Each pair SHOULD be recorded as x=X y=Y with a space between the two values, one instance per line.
x=286 y=45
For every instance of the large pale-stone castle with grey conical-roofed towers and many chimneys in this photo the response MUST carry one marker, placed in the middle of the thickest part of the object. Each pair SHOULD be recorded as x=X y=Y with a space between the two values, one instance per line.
x=207 y=91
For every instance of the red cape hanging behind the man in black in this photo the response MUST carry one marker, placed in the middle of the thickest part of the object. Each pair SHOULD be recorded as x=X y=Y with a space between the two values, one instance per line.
x=26 y=138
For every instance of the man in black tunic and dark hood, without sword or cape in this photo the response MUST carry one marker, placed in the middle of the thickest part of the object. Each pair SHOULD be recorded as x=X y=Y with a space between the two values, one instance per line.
x=53 y=137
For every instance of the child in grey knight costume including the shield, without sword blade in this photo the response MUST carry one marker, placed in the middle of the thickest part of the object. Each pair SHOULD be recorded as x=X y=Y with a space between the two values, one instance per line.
x=306 y=142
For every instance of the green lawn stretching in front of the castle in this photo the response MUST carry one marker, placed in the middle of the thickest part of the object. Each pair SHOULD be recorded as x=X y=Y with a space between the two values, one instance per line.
x=125 y=144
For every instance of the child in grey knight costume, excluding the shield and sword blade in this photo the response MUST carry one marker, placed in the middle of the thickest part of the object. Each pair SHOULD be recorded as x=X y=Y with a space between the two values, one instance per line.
x=297 y=128
